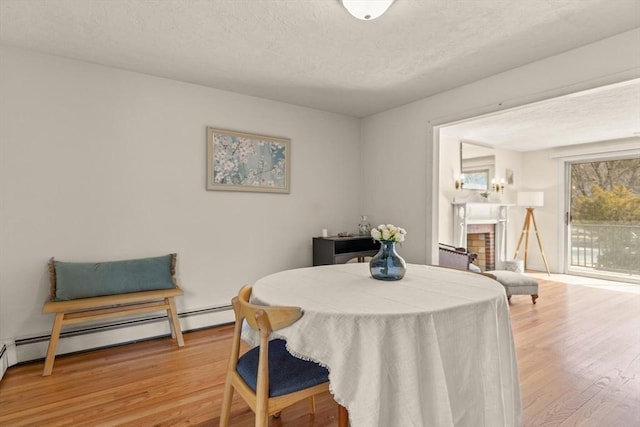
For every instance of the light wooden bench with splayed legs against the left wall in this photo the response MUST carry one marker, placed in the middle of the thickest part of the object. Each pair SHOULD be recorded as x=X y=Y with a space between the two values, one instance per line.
x=71 y=310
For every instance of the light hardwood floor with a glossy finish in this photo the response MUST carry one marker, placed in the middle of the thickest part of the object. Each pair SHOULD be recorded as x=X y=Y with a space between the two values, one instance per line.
x=578 y=355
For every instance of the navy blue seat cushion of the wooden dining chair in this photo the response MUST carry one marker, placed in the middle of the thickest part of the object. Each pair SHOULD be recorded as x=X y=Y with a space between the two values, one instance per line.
x=287 y=373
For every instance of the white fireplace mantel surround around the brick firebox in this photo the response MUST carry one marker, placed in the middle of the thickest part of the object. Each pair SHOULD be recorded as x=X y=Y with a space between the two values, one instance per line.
x=466 y=216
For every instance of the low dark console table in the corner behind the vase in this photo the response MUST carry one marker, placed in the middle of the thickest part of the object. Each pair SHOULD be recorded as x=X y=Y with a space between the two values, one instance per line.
x=339 y=250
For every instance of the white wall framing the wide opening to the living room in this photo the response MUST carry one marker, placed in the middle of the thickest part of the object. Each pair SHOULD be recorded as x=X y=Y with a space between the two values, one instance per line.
x=400 y=155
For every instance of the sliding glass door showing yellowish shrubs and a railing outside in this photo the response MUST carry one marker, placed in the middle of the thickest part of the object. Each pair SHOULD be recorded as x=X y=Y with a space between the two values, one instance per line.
x=603 y=218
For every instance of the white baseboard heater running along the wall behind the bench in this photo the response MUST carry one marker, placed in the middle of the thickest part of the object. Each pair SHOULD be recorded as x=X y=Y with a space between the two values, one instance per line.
x=121 y=331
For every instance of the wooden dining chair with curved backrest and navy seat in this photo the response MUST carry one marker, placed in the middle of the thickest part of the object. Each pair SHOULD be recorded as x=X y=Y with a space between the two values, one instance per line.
x=268 y=377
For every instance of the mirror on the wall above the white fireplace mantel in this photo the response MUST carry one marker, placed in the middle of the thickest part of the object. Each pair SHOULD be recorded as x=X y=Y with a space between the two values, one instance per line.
x=477 y=165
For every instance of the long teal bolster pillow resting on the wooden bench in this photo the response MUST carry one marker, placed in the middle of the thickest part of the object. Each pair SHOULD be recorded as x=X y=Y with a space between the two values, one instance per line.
x=88 y=279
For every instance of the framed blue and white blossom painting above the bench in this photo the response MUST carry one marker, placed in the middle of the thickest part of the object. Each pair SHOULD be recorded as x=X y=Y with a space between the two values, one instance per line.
x=240 y=161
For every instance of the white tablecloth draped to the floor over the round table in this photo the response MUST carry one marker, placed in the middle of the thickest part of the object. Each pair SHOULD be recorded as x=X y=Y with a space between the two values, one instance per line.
x=433 y=349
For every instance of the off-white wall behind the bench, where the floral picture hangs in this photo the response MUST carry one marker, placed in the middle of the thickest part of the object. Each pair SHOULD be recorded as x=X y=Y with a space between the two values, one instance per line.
x=102 y=164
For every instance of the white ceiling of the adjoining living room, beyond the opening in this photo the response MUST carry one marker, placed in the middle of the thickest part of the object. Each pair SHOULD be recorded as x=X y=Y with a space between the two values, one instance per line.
x=606 y=113
